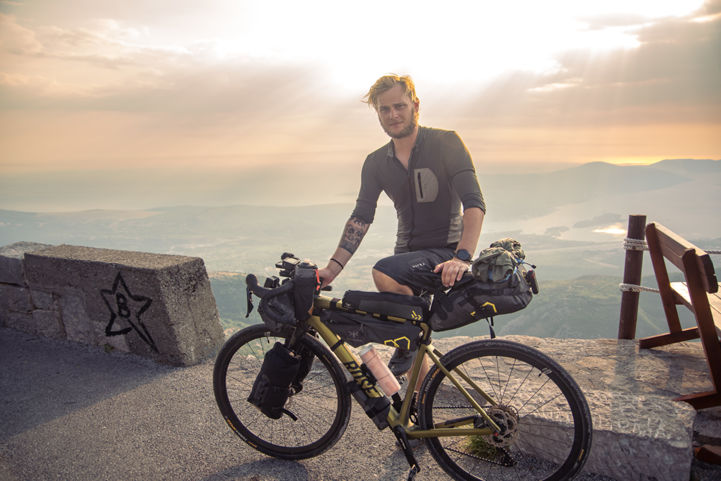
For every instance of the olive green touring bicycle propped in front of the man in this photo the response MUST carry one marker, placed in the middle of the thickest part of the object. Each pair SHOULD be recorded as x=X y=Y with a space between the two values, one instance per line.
x=489 y=409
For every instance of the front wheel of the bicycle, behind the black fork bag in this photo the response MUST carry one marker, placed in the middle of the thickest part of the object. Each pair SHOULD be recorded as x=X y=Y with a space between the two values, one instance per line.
x=322 y=407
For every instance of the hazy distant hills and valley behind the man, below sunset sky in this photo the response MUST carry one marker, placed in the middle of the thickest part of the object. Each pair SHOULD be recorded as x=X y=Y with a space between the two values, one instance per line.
x=571 y=220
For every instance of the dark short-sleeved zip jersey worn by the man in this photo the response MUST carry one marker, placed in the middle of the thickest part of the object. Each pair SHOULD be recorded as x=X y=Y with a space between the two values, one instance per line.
x=428 y=195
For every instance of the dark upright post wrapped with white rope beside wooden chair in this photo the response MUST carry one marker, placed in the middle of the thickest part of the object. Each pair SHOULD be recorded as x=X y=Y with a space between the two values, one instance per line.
x=632 y=275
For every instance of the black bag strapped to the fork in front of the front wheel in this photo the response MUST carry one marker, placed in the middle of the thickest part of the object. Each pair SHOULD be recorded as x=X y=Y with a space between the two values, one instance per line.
x=271 y=388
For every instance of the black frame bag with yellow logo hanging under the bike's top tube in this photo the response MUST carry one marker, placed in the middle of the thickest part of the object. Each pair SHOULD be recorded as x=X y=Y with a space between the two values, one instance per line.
x=359 y=329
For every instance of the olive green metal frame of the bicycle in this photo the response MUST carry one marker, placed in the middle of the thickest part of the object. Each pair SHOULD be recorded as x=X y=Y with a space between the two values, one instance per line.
x=353 y=366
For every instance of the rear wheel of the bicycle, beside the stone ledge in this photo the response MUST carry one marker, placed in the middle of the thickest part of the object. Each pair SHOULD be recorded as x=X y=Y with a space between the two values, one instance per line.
x=545 y=421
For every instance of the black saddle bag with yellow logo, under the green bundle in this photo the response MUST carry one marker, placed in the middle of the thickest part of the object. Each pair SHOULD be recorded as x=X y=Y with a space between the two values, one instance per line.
x=472 y=300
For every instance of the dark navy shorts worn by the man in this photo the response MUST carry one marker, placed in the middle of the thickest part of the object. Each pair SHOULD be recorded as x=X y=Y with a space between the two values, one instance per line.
x=415 y=269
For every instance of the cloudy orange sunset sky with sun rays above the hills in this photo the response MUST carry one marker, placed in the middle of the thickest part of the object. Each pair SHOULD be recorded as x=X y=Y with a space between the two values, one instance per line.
x=109 y=98
